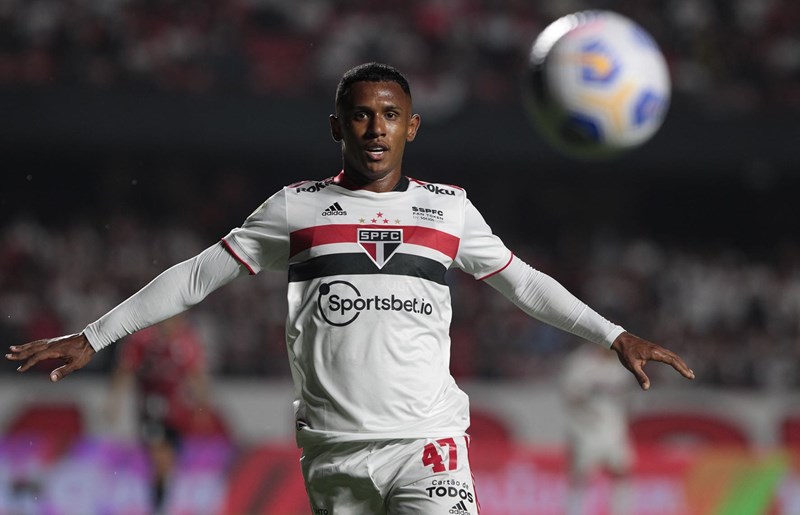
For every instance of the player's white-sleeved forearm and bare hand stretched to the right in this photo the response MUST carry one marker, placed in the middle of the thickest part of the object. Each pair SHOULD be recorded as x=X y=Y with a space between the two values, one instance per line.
x=543 y=298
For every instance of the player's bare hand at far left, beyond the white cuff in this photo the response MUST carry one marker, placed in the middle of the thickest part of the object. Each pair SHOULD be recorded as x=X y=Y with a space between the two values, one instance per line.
x=73 y=350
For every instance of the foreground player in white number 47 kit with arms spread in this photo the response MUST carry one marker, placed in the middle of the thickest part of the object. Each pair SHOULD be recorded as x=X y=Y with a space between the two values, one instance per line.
x=380 y=420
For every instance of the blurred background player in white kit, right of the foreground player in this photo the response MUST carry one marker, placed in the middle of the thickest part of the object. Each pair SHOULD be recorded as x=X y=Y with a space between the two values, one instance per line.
x=595 y=391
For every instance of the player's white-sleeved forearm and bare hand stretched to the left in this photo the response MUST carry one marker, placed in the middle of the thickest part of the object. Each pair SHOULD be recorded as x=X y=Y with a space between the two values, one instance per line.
x=174 y=291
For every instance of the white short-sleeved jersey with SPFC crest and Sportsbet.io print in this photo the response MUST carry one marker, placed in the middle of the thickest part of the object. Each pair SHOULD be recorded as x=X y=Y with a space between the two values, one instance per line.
x=369 y=310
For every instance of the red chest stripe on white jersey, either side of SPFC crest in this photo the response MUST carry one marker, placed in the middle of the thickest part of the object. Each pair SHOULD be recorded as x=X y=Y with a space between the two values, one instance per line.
x=304 y=239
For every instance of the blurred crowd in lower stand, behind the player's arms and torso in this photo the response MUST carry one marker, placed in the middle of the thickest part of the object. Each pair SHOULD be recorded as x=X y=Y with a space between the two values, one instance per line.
x=734 y=317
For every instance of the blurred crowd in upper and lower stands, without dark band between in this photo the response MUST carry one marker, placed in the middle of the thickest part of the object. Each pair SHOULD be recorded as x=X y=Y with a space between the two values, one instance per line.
x=737 y=55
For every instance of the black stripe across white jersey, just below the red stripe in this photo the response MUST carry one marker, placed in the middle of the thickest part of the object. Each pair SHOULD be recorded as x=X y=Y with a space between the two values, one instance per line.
x=360 y=264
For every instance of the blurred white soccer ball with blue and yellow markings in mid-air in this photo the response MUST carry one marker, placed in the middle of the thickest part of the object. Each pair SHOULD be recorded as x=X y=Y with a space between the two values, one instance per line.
x=596 y=84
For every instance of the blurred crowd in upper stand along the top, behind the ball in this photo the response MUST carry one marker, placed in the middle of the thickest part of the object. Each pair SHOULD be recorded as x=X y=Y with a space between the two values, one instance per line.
x=727 y=55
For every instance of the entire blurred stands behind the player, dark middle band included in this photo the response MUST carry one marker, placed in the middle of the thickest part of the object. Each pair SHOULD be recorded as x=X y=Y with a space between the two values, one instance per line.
x=683 y=242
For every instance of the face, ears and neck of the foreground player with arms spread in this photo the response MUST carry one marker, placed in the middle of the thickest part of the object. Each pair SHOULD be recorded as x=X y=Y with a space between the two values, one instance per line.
x=373 y=124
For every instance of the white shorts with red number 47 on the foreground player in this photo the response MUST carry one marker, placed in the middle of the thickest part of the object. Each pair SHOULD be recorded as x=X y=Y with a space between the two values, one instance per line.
x=395 y=477
